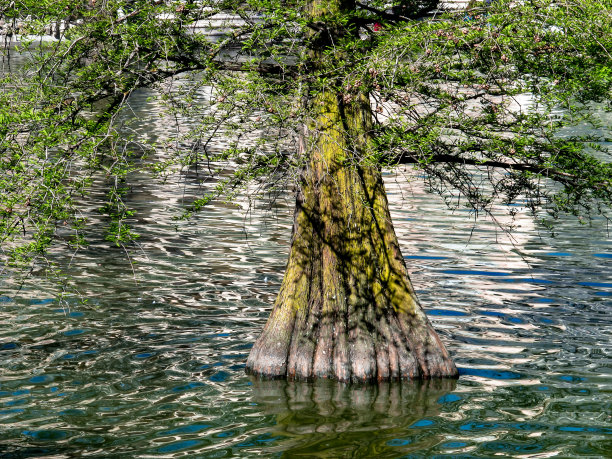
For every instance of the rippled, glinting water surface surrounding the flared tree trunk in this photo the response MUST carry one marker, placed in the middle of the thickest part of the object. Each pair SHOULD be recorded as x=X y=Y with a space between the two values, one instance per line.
x=152 y=365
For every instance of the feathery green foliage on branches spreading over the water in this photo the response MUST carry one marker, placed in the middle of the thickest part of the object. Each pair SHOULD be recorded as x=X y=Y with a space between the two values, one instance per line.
x=478 y=99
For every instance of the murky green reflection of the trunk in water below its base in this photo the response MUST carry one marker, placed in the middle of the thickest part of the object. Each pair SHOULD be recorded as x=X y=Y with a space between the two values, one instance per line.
x=330 y=419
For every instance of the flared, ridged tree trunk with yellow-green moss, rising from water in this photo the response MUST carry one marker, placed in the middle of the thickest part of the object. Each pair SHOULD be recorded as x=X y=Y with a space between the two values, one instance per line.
x=346 y=309
